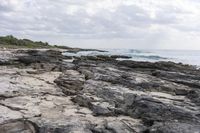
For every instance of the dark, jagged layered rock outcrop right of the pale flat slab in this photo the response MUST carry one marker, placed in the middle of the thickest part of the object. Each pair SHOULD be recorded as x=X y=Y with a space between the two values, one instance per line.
x=139 y=90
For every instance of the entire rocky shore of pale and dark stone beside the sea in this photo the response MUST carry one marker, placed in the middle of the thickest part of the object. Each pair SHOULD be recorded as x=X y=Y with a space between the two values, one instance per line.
x=42 y=91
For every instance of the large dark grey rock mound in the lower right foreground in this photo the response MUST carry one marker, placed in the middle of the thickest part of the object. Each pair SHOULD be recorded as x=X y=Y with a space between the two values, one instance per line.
x=151 y=109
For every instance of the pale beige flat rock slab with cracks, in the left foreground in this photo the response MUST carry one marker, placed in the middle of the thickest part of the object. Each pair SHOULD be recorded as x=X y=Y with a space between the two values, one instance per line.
x=34 y=103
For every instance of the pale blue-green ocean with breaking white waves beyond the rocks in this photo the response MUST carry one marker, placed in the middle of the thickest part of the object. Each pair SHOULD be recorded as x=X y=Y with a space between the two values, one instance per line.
x=191 y=57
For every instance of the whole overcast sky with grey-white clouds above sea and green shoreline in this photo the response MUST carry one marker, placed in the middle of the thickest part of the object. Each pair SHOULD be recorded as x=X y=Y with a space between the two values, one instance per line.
x=136 y=24
